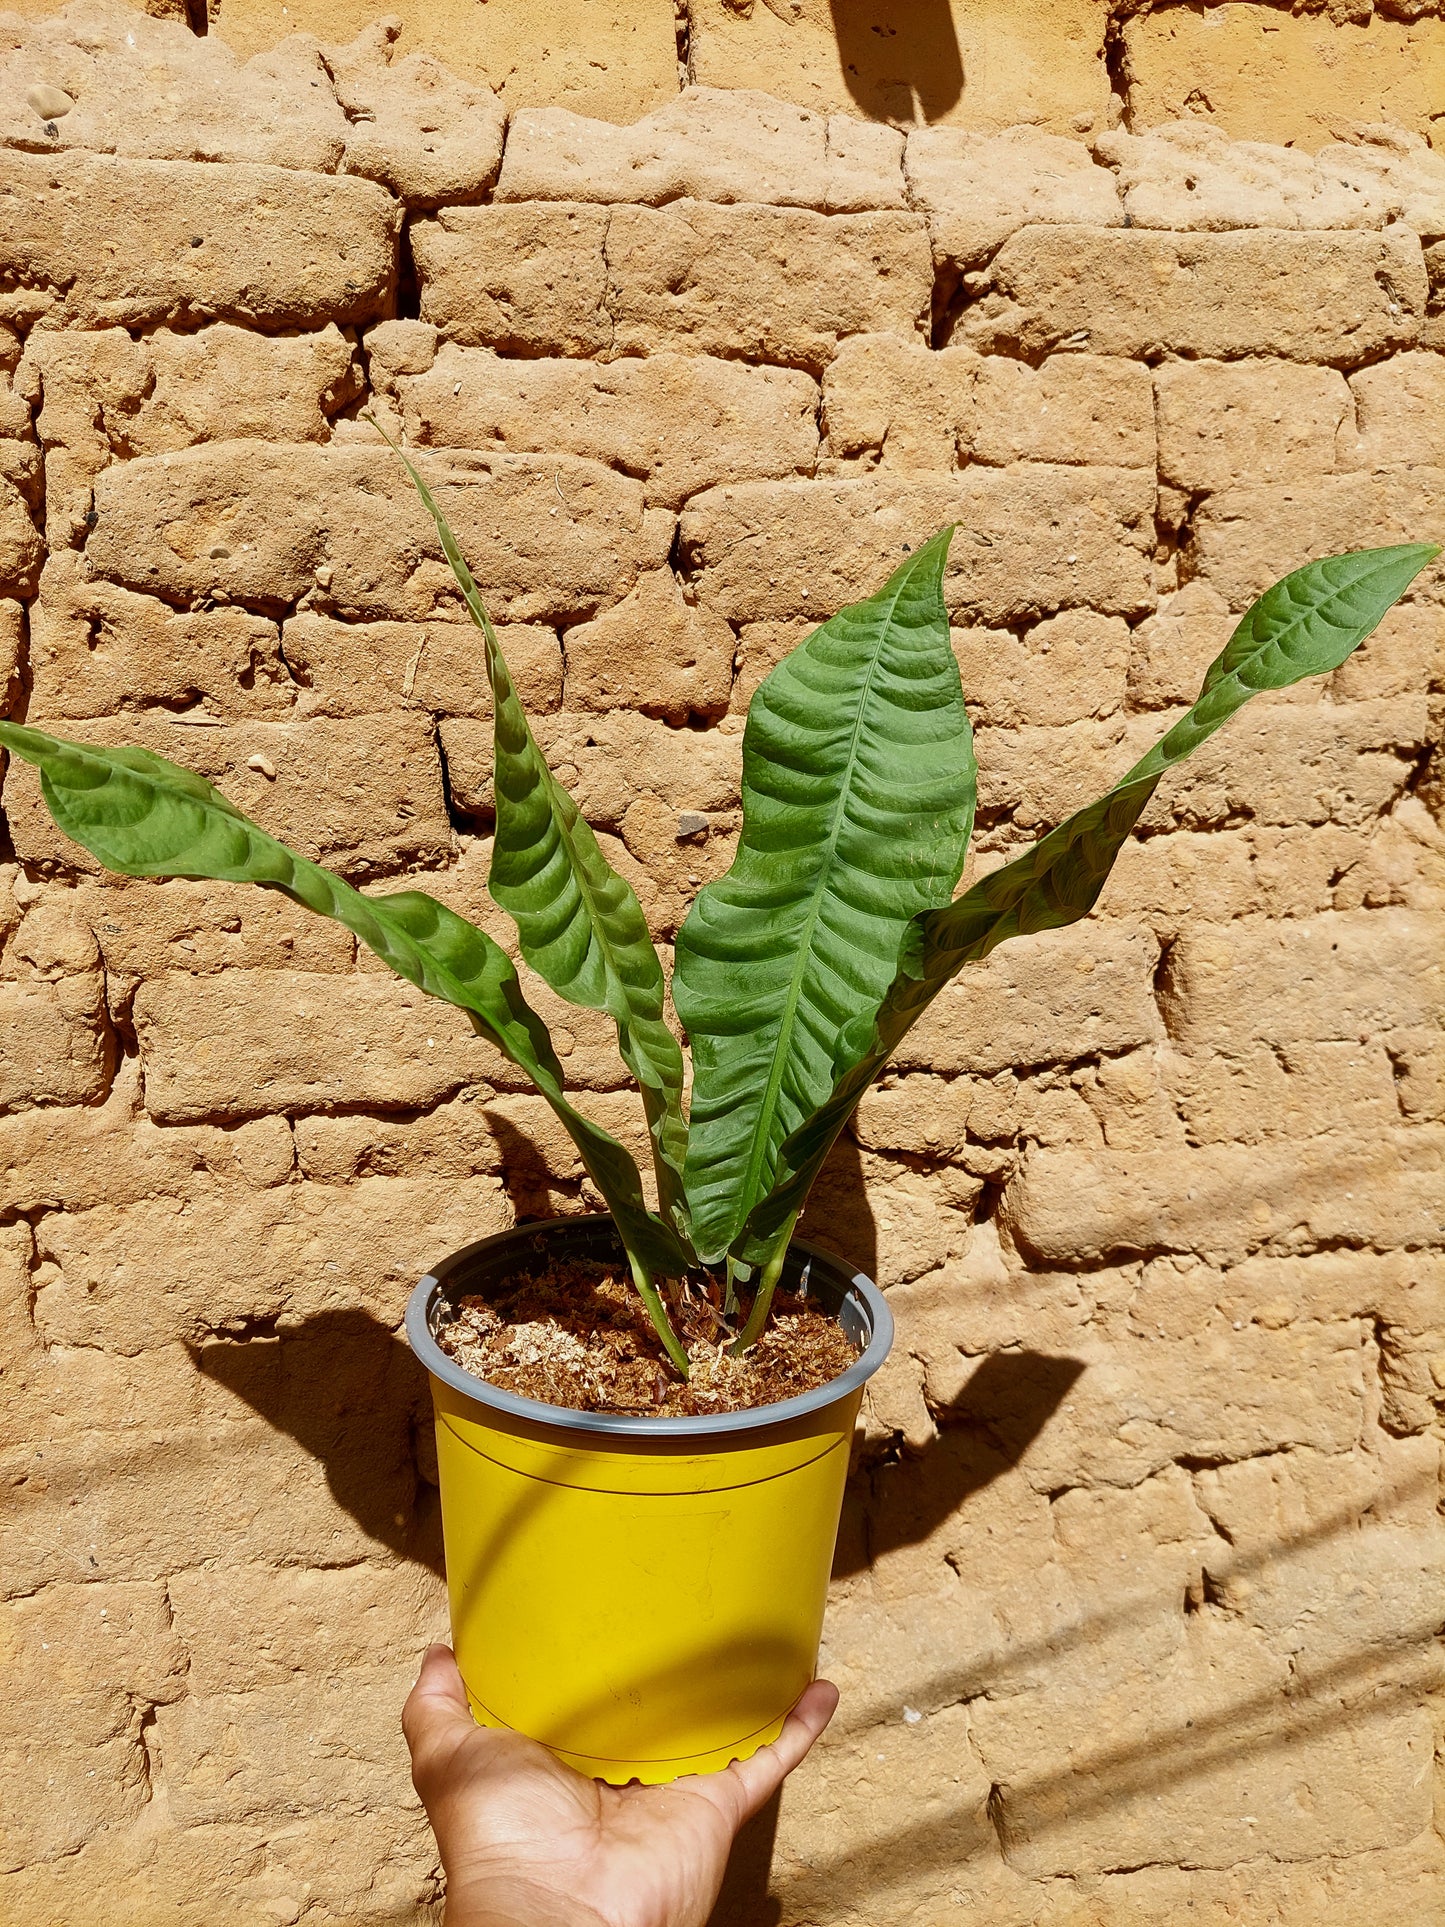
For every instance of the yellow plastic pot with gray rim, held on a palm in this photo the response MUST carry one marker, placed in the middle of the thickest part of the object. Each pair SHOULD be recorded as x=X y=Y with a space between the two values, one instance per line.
x=641 y=1595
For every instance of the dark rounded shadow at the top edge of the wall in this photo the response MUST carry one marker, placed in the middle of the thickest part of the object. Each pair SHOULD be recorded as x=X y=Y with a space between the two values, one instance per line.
x=901 y=59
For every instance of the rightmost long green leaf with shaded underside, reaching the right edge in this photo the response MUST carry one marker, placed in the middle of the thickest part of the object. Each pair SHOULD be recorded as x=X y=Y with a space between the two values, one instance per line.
x=1303 y=627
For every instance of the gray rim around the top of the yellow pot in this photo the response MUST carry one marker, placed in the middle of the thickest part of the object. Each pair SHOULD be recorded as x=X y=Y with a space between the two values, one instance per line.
x=856 y=1286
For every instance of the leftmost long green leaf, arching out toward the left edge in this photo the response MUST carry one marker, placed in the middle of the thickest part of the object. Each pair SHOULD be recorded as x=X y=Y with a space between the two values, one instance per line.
x=149 y=818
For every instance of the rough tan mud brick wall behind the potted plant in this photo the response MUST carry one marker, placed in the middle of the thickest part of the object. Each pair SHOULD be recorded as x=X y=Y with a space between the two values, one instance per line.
x=1142 y=1568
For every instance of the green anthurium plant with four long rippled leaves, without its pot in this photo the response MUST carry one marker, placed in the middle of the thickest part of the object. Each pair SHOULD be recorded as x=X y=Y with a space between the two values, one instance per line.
x=804 y=966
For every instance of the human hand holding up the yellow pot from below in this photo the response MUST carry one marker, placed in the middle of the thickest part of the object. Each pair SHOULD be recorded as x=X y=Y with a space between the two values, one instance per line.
x=531 y=1843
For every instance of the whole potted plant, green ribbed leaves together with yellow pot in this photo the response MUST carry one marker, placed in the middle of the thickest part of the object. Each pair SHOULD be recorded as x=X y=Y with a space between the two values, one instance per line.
x=644 y=1589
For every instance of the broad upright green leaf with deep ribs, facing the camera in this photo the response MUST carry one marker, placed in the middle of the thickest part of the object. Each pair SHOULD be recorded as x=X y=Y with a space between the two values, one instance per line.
x=858 y=793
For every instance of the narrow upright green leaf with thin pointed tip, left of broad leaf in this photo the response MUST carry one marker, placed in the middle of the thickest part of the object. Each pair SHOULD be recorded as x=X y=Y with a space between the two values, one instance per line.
x=579 y=924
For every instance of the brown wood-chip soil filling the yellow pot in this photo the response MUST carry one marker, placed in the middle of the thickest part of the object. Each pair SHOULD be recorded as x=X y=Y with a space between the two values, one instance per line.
x=577 y=1334
